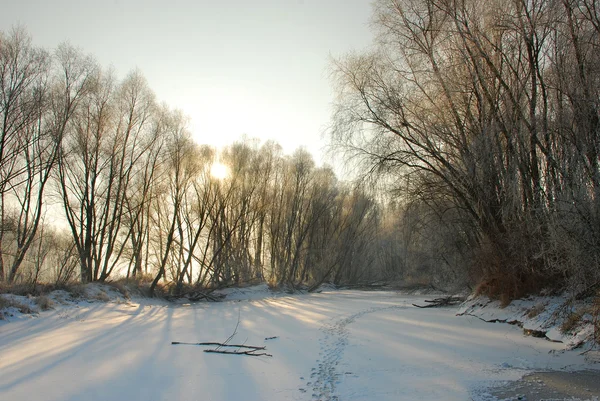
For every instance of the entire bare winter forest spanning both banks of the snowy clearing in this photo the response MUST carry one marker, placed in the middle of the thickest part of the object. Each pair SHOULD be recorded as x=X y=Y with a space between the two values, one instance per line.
x=475 y=128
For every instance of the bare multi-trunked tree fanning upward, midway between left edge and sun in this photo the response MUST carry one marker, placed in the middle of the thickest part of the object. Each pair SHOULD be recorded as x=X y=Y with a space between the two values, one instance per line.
x=105 y=145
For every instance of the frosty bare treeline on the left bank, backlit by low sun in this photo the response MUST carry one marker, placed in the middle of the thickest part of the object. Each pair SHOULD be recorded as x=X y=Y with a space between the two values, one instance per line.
x=134 y=194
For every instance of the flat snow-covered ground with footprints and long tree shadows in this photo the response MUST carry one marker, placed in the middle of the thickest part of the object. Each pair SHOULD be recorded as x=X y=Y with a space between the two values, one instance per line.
x=336 y=345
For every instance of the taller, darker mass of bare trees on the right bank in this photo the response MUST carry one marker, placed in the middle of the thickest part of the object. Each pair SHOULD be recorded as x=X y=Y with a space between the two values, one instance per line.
x=485 y=119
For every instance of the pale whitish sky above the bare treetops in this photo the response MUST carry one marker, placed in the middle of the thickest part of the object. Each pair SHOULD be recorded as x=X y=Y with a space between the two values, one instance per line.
x=254 y=67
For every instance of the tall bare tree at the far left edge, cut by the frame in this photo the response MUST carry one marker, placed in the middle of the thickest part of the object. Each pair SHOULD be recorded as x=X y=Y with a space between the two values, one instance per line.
x=24 y=142
